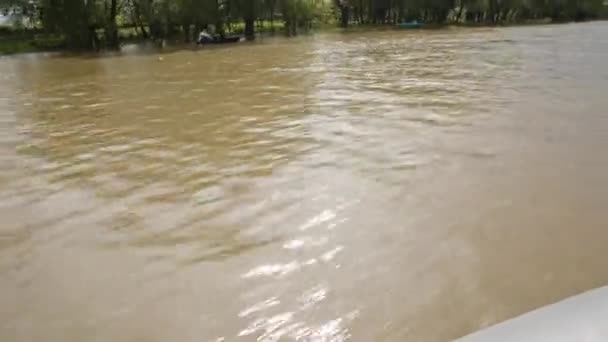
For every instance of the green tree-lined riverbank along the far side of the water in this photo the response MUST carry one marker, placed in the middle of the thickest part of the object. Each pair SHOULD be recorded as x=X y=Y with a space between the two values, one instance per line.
x=96 y=24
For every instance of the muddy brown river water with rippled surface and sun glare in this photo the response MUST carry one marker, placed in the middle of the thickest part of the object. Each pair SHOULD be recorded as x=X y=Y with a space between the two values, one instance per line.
x=382 y=186
